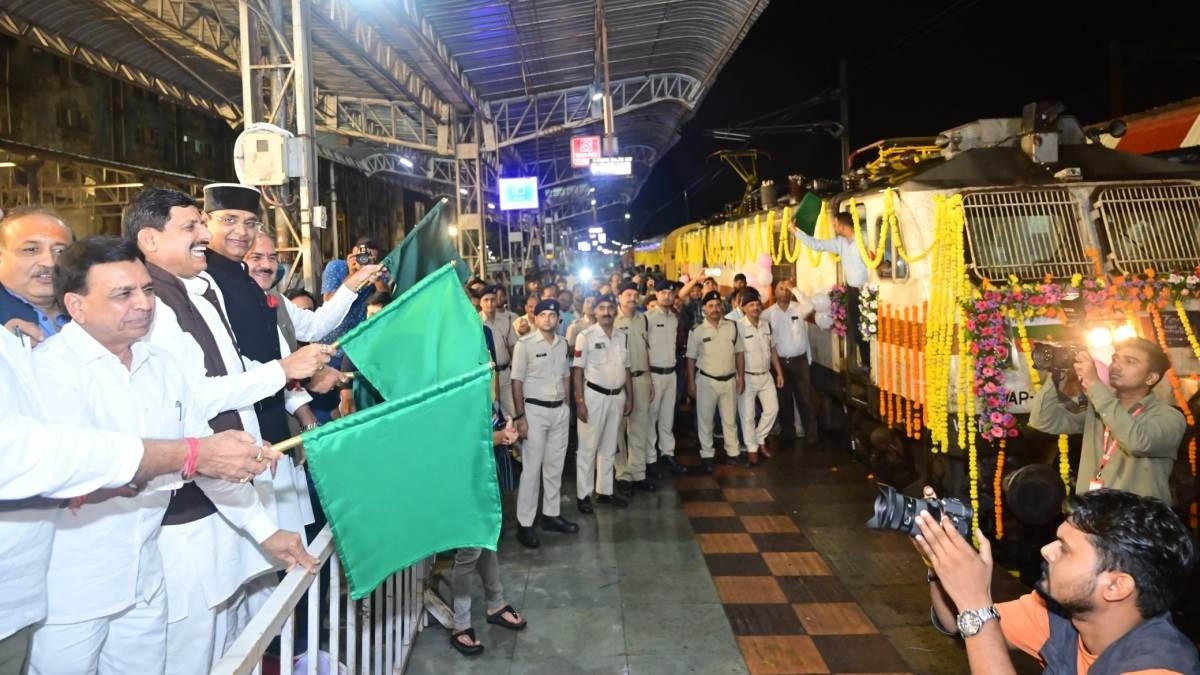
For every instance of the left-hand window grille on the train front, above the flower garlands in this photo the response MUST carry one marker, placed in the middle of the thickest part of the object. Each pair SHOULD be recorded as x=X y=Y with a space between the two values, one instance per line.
x=1029 y=234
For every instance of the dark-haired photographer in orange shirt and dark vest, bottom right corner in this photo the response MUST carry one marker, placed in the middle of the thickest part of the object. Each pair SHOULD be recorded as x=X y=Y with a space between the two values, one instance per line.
x=1102 y=607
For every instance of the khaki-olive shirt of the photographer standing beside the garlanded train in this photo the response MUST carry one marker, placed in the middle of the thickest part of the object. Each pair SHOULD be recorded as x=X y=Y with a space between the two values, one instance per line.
x=1147 y=445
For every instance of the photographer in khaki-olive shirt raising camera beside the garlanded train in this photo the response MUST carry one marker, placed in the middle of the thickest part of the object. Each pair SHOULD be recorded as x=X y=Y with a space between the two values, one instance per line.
x=1131 y=438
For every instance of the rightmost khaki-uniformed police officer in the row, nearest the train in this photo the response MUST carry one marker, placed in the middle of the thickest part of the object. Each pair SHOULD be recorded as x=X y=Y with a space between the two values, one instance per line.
x=760 y=362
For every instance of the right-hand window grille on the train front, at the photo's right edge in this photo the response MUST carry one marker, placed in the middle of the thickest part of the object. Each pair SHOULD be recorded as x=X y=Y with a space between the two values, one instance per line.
x=1153 y=226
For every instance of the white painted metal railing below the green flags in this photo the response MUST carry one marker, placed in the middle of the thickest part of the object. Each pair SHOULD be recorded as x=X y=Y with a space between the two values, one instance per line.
x=369 y=637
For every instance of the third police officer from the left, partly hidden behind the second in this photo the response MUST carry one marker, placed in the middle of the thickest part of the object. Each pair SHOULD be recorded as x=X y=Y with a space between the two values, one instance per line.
x=634 y=440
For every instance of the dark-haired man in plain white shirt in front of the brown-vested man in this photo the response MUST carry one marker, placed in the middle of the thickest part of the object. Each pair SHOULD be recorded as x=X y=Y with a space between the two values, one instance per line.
x=107 y=601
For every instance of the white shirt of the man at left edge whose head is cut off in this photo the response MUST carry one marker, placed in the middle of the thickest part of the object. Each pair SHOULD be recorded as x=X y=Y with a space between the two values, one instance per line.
x=56 y=461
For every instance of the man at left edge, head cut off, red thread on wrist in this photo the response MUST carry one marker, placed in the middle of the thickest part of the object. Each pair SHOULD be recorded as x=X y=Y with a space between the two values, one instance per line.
x=70 y=463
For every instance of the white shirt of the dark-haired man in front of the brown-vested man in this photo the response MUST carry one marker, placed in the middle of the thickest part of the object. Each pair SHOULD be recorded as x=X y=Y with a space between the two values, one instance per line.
x=106 y=555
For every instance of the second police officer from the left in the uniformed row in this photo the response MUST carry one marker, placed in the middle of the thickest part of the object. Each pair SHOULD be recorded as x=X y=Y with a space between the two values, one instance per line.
x=603 y=386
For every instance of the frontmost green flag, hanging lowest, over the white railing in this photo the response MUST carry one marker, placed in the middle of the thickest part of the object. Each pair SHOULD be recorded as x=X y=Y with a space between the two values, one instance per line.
x=409 y=479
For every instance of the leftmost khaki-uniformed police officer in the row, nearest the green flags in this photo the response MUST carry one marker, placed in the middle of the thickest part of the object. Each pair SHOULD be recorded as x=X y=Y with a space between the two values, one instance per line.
x=541 y=384
